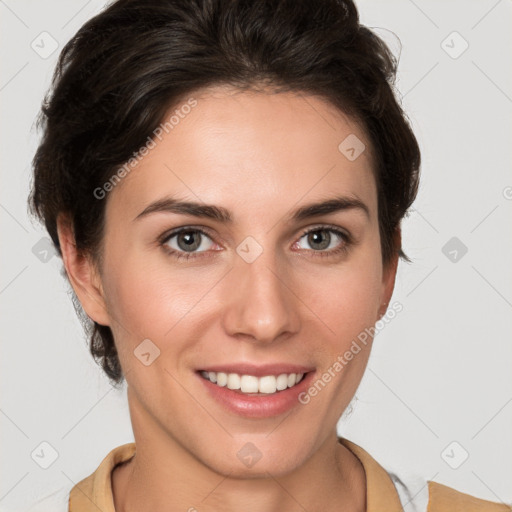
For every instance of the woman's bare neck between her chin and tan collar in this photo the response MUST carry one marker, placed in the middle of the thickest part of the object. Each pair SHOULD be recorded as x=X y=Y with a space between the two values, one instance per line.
x=163 y=475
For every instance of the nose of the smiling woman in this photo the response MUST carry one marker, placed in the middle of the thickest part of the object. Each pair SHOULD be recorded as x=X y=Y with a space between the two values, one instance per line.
x=260 y=302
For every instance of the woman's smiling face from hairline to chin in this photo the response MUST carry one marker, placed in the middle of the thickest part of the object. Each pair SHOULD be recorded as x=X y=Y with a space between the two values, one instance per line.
x=256 y=287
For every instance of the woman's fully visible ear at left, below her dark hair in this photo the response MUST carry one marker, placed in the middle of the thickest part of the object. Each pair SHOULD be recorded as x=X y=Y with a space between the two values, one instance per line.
x=82 y=273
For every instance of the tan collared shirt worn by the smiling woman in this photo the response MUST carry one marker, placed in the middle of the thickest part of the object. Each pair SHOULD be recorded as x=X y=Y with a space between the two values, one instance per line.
x=95 y=492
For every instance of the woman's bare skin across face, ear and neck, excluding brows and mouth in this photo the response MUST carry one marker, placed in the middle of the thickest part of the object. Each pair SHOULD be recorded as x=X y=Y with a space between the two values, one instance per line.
x=260 y=155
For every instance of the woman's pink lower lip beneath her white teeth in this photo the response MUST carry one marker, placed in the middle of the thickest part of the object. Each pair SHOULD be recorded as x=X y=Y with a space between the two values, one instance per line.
x=258 y=406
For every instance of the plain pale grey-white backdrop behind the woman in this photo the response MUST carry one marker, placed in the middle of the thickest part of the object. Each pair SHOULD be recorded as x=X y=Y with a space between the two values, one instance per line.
x=437 y=396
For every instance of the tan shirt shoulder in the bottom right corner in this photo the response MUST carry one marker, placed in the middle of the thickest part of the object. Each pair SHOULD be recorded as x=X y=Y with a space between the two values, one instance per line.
x=446 y=499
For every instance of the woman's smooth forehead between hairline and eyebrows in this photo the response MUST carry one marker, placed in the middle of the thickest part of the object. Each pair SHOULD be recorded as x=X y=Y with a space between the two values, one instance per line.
x=242 y=148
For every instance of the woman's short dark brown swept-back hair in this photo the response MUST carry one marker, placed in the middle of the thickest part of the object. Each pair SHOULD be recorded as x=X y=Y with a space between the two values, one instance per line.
x=116 y=79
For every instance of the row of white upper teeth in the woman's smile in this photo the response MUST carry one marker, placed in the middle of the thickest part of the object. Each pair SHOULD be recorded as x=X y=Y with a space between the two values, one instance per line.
x=268 y=384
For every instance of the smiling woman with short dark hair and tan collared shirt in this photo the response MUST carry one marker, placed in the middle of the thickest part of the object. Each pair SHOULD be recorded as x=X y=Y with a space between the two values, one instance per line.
x=225 y=182
